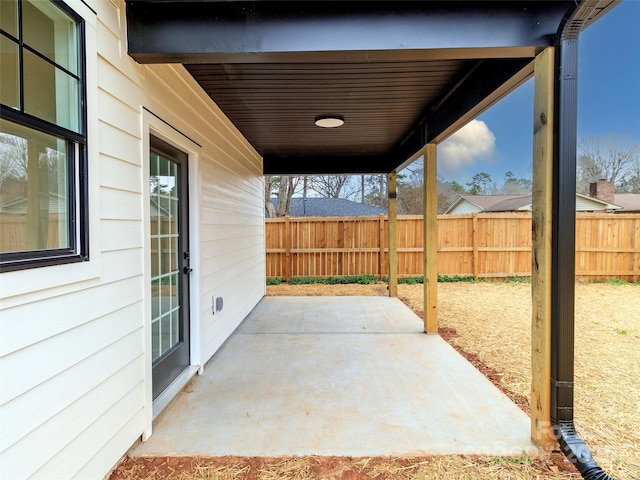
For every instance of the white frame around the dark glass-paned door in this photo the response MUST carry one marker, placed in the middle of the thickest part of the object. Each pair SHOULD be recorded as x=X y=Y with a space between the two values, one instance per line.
x=153 y=125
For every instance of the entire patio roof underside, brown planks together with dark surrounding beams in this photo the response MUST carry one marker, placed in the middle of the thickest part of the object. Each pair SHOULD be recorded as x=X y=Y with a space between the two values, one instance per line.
x=401 y=74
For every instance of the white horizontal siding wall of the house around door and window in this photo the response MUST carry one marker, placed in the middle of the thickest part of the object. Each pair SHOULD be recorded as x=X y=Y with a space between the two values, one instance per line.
x=74 y=386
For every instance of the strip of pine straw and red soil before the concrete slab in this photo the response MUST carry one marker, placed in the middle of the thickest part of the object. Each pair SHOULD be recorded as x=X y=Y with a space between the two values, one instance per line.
x=340 y=468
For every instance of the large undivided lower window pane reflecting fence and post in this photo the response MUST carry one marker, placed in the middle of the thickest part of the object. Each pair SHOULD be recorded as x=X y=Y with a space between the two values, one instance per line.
x=34 y=177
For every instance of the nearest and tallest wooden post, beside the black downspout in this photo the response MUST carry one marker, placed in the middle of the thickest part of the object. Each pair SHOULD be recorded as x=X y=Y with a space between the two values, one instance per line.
x=541 y=432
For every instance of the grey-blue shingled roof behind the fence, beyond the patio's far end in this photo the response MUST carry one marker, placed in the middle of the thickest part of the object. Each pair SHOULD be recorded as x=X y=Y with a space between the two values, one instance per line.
x=329 y=207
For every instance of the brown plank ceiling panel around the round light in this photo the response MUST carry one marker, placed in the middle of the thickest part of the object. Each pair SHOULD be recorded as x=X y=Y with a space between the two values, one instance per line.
x=379 y=101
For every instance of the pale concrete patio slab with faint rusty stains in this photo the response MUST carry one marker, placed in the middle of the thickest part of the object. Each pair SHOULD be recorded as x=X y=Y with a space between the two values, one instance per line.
x=350 y=376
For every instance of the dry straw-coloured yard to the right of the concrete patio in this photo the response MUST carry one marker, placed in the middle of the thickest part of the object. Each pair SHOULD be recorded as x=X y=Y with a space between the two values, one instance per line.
x=493 y=320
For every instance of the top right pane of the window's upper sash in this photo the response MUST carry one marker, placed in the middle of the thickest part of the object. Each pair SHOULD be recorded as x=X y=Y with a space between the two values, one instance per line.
x=51 y=32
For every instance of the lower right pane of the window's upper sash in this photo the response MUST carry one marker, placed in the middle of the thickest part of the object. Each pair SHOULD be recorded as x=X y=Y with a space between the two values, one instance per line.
x=50 y=93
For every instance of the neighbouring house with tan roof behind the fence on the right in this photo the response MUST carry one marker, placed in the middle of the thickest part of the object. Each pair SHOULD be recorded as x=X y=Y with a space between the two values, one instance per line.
x=466 y=204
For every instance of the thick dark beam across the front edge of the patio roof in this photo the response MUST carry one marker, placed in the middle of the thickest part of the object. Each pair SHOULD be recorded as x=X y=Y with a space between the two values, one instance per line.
x=178 y=31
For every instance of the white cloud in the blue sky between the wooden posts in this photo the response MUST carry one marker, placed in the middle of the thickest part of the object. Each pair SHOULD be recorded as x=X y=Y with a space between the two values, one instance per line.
x=471 y=144
